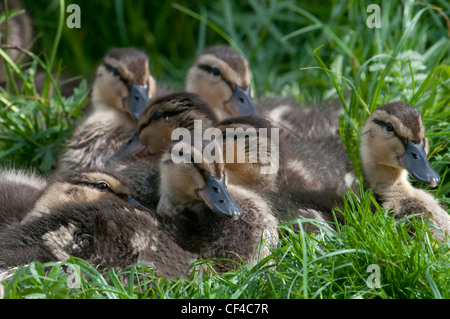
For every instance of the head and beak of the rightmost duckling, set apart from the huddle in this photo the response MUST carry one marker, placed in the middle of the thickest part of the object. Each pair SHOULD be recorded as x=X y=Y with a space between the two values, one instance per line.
x=393 y=139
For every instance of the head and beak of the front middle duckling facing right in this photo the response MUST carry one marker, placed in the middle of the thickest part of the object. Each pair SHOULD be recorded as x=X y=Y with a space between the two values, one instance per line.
x=190 y=176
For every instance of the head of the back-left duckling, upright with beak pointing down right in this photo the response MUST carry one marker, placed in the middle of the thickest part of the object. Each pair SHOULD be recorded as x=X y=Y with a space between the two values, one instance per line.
x=123 y=81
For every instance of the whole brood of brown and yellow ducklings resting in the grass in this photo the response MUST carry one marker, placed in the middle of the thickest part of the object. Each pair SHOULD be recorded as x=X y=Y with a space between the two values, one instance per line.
x=118 y=196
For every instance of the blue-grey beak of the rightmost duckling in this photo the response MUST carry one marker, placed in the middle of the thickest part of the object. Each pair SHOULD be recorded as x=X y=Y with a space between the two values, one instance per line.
x=415 y=161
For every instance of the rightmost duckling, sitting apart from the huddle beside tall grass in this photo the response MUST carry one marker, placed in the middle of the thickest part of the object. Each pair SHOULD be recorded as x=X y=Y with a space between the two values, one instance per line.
x=393 y=143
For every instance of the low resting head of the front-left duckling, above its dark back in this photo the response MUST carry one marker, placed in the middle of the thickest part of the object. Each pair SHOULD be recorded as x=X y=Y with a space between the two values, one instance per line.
x=82 y=187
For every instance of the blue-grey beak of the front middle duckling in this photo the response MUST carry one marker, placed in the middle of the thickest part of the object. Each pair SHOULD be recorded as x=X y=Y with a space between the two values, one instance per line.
x=215 y=195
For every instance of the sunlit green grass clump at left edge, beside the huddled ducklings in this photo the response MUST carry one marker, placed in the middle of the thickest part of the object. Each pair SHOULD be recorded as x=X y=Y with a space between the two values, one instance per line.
x=34 y=125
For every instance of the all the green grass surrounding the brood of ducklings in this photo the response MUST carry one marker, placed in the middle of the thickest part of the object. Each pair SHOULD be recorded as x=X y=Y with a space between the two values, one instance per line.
x=315 y=52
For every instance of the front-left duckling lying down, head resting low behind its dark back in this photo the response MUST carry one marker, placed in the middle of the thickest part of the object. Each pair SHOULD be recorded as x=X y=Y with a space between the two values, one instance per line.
x=92 y=215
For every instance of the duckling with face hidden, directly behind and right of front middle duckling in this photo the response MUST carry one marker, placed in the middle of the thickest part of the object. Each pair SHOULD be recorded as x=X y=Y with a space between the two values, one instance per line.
x=293 y=177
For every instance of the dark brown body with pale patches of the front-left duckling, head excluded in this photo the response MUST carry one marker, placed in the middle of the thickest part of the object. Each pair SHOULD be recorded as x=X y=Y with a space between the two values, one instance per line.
x=107 y=234
